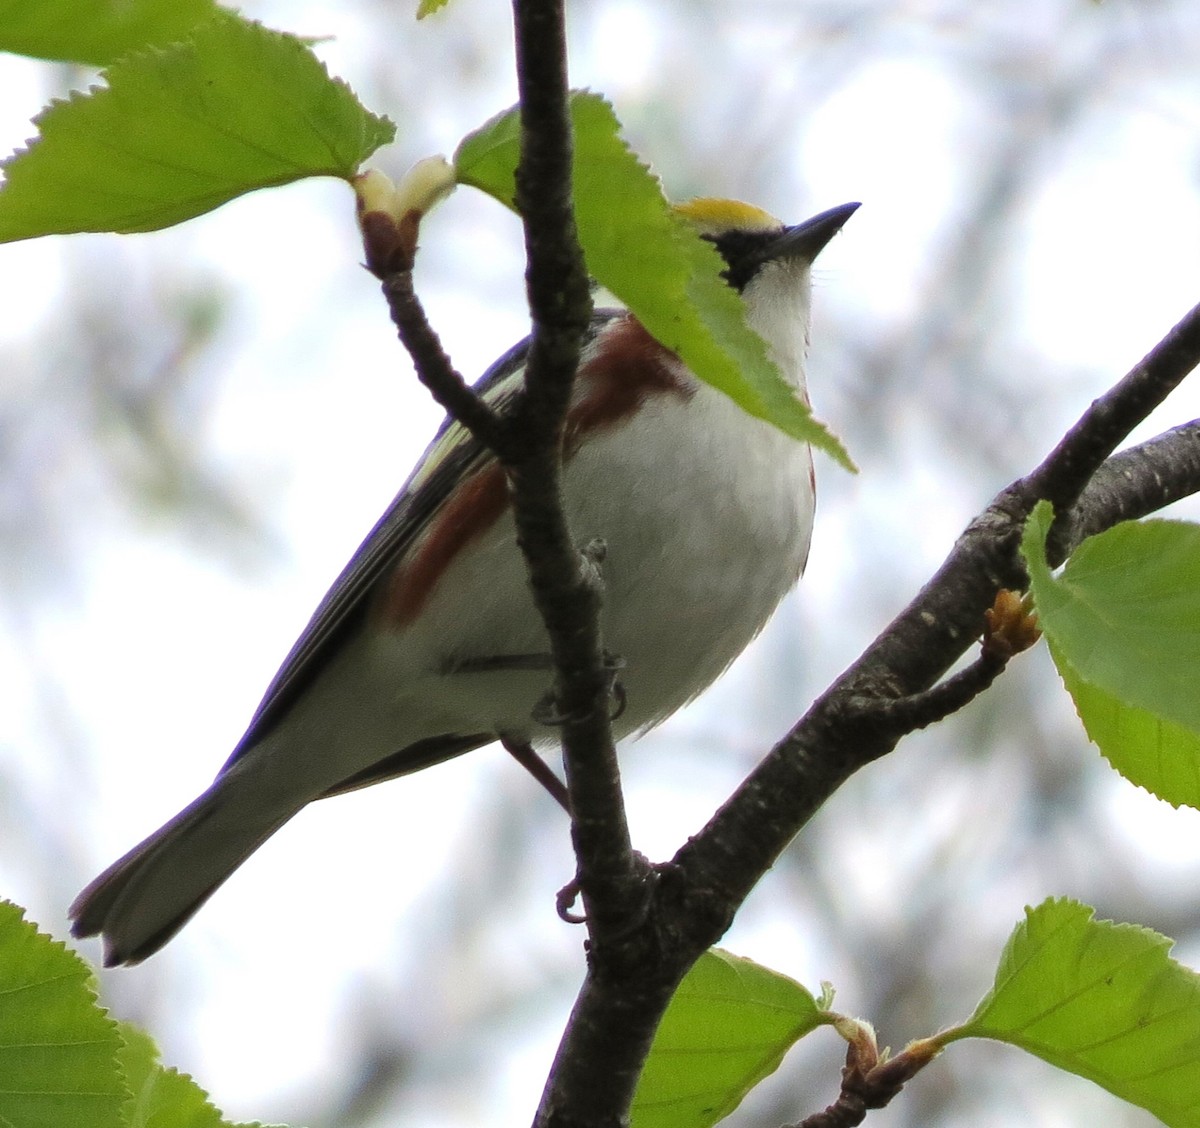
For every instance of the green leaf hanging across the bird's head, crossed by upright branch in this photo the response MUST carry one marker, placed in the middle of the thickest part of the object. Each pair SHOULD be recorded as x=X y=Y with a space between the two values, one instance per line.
x=652 y=261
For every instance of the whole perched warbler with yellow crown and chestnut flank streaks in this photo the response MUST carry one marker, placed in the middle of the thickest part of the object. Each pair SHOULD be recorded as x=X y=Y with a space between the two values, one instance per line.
x=428 y=645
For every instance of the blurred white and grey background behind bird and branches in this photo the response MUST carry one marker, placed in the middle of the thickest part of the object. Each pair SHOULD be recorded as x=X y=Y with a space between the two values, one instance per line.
x=199 y=427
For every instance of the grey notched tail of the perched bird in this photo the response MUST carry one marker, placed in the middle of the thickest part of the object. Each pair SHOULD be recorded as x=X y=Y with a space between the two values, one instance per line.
x=147 y=897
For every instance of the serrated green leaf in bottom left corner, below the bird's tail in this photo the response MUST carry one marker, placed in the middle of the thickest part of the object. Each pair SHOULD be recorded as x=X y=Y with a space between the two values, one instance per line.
x=57 y=1047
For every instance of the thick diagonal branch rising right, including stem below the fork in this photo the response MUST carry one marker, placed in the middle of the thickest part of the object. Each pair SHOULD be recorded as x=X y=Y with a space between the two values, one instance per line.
x=699 y=892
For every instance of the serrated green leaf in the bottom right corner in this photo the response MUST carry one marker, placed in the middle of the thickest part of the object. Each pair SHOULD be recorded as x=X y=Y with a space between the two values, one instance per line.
x=1103 y=1001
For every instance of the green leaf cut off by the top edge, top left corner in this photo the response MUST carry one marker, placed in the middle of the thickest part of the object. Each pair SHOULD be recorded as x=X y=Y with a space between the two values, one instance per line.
x=95 y=32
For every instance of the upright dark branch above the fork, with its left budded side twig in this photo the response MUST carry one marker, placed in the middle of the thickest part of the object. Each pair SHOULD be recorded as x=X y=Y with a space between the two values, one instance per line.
x=527 y=439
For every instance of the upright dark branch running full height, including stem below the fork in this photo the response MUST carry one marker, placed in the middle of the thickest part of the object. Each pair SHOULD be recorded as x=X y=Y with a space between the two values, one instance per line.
x=593 y=1077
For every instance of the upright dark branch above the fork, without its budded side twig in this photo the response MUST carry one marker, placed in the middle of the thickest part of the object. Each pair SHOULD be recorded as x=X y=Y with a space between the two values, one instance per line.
x=567 y=587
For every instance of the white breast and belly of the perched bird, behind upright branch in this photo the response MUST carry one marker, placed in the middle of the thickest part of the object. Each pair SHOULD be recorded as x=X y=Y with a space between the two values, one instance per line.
x=706 y=514
